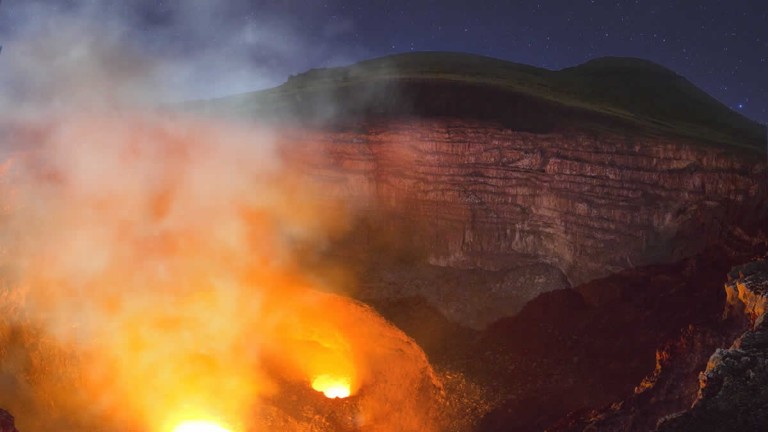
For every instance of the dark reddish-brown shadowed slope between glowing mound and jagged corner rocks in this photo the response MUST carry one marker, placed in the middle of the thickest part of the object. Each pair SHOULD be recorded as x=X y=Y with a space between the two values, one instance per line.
x=584 y=350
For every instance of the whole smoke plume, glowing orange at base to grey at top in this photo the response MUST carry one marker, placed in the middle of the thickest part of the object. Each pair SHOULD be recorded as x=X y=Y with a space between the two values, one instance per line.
x=148 y=261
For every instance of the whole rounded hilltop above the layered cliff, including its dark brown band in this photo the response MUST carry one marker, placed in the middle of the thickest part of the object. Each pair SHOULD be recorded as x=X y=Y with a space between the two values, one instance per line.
x=605 y=93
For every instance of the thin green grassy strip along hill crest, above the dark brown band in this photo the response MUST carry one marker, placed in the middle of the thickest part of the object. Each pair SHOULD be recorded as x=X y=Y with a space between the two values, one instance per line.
x=632 y=91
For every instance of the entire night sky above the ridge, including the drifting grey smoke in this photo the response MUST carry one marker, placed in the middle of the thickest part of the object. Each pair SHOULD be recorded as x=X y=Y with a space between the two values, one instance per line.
x=240 y=45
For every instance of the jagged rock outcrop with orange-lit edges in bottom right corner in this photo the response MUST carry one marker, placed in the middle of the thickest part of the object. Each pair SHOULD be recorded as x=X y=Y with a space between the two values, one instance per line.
x=692 y=389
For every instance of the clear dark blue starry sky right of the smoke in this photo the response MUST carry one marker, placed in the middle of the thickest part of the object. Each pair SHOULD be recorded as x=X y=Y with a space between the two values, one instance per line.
x=722 y=46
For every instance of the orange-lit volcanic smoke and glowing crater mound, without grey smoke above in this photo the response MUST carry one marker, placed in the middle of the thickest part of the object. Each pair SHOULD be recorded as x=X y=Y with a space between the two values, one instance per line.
x=150 y=282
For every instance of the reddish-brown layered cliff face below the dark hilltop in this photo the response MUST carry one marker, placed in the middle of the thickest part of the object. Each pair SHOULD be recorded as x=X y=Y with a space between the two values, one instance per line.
x=472 y=194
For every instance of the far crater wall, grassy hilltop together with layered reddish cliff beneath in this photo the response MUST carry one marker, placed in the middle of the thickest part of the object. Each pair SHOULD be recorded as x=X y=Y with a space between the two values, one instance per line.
x=534 y=180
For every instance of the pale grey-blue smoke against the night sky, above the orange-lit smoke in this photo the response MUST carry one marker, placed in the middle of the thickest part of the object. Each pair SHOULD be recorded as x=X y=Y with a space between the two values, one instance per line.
x=199 y=48
